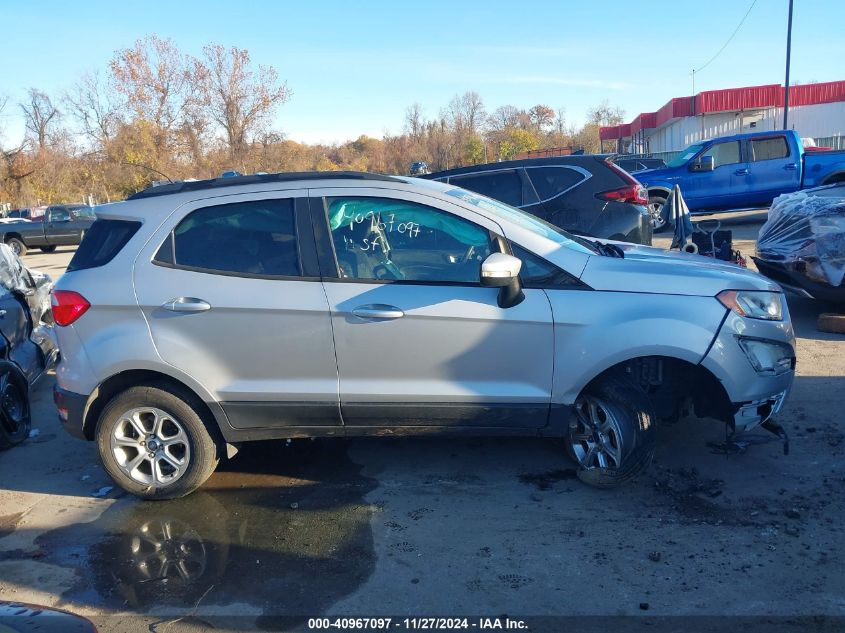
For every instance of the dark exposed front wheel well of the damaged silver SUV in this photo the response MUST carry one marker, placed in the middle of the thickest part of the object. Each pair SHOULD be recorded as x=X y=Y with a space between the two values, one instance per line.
x=676 y=387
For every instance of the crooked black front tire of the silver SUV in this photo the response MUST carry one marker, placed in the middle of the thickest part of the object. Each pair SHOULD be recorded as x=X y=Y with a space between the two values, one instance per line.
x=631 y=410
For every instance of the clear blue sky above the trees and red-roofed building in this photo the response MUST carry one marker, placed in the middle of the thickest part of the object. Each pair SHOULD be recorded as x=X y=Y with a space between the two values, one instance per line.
x=354 y=67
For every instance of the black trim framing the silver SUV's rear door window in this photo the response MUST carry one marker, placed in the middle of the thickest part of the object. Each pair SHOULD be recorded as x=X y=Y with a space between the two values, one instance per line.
x=305 y=247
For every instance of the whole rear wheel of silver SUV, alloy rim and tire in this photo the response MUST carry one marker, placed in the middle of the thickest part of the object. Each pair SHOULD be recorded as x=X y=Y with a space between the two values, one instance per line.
x=154 y=444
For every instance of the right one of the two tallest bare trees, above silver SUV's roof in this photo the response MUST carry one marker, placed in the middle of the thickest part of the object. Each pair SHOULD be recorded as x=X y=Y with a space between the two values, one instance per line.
x=241 y=101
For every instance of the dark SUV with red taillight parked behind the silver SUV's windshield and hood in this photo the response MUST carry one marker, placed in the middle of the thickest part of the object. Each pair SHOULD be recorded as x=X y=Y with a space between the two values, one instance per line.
x=588 y=194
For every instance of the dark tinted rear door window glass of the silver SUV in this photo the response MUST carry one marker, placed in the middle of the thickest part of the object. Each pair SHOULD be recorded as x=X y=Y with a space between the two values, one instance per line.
x=245 y=238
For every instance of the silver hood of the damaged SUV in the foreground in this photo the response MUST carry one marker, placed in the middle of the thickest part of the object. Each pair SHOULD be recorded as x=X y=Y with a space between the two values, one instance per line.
x=654 y=270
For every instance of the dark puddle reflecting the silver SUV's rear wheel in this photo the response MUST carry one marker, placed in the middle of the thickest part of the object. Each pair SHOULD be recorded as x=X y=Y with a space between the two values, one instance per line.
x=285 y=531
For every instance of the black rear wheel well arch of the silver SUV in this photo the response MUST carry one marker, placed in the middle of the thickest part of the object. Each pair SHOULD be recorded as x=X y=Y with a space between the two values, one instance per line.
x=143 y=377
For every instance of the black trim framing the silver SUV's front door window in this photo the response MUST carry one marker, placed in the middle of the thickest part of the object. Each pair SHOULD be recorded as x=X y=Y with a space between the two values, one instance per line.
x=330 y=269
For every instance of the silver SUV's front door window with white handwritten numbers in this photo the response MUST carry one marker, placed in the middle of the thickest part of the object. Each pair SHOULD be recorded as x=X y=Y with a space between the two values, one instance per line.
x=385 y=239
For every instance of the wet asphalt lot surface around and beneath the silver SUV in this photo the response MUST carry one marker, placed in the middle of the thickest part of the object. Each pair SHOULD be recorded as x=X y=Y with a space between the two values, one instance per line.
x=443 y=526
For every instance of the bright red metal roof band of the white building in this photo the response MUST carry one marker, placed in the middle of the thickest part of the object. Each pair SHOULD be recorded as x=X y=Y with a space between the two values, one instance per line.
x=728 y=100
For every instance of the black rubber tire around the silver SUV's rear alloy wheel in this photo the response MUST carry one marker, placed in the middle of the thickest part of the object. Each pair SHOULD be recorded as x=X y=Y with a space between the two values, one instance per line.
x=183 y=410
